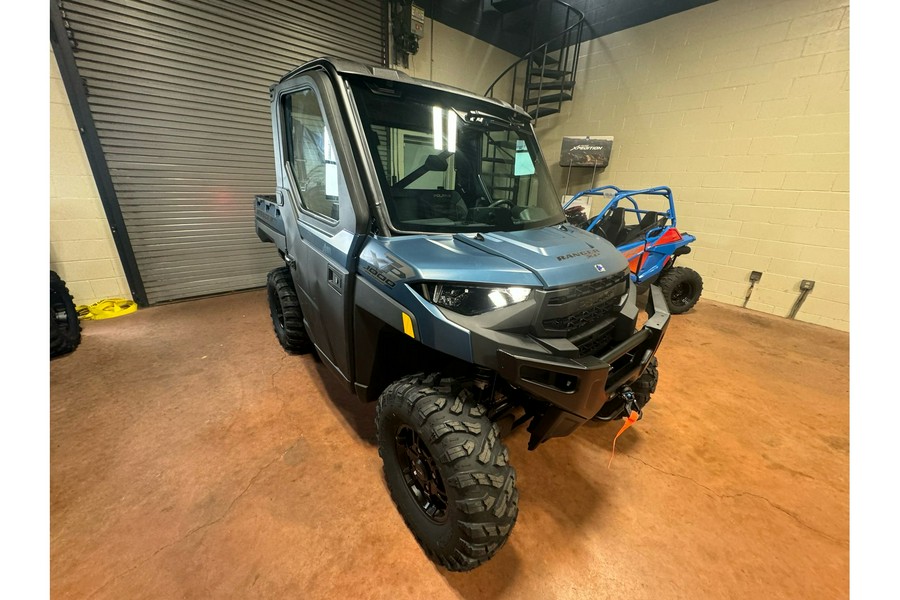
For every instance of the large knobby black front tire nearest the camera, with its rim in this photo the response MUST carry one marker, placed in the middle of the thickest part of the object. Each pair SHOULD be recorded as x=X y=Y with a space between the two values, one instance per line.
x=447 y=469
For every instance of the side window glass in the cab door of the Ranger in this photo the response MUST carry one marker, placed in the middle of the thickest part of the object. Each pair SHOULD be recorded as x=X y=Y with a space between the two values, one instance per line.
x=311 y=153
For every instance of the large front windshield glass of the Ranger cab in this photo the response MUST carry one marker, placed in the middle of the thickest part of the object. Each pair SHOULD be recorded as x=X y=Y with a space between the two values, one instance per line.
x=451 y=164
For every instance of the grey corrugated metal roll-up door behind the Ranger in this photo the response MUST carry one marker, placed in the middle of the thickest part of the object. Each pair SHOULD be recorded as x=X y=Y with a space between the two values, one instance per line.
x=179 y=91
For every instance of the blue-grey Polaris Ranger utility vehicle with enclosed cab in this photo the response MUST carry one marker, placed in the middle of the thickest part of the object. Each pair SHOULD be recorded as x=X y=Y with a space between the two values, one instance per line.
x=429 y=264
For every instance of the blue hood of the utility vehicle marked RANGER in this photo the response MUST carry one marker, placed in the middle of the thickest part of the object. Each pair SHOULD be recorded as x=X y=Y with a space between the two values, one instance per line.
x=549 y=257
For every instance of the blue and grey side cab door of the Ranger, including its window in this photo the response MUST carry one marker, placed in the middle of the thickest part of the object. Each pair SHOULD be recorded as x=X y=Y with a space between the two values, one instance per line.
x=319 y=177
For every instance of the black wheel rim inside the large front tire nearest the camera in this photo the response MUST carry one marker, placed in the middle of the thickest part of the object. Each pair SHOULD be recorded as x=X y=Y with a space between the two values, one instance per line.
x=421 y=474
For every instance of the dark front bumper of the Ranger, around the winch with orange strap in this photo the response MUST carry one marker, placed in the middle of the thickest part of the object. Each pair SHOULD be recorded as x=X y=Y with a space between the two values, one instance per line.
x=576 y=388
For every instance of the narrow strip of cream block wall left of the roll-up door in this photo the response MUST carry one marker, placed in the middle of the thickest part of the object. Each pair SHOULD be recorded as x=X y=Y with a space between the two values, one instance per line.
x=82 y=250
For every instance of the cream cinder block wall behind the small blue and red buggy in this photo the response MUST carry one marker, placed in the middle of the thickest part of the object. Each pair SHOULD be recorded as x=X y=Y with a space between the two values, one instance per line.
x=742 y=107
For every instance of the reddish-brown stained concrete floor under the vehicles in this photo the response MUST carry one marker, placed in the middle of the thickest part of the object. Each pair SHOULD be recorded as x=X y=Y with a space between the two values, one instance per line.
x=192 y=458
